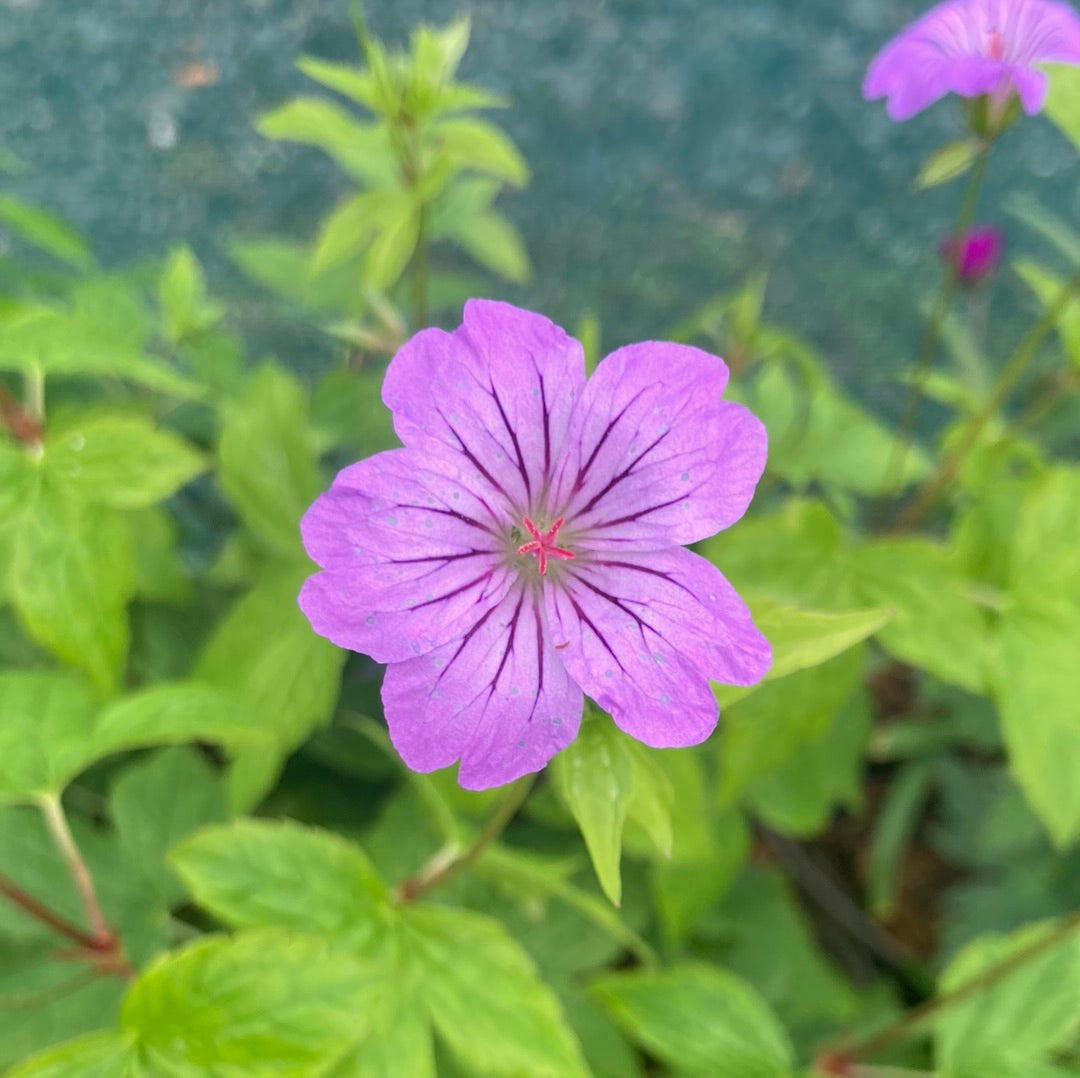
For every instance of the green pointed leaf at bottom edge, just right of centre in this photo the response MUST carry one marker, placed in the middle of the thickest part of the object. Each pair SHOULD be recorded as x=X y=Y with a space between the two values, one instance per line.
x=700 y=1020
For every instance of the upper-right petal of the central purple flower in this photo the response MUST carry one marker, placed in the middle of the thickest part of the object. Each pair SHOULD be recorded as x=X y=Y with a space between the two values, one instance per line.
x=654 y=455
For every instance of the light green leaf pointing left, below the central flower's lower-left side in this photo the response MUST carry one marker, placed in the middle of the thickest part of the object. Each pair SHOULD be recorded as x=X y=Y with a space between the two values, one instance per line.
x=261 y=873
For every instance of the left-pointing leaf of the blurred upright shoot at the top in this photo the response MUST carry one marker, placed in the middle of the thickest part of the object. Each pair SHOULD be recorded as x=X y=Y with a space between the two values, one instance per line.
x=362 y=150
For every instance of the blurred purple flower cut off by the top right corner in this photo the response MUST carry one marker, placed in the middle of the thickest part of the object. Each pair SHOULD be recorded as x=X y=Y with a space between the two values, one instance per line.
x=975 y=48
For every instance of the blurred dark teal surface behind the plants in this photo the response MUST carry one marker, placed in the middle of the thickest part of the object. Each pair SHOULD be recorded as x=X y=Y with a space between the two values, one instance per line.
x=676 y=147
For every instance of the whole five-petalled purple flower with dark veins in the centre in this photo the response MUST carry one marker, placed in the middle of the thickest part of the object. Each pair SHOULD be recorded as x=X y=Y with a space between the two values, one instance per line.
x=525 y=547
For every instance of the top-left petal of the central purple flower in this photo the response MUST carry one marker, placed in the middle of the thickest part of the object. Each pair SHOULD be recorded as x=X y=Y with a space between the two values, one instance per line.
x=501 y=392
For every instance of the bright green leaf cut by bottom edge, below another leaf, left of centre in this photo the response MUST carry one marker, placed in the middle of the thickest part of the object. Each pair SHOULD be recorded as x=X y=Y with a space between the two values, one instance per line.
x=258 y=1006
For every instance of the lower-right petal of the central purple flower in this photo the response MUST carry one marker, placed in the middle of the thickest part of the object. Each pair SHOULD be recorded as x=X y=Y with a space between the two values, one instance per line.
x=646 y=632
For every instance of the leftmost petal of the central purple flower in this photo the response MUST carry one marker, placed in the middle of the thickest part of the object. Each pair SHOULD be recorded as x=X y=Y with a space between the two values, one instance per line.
x=410 y=557
